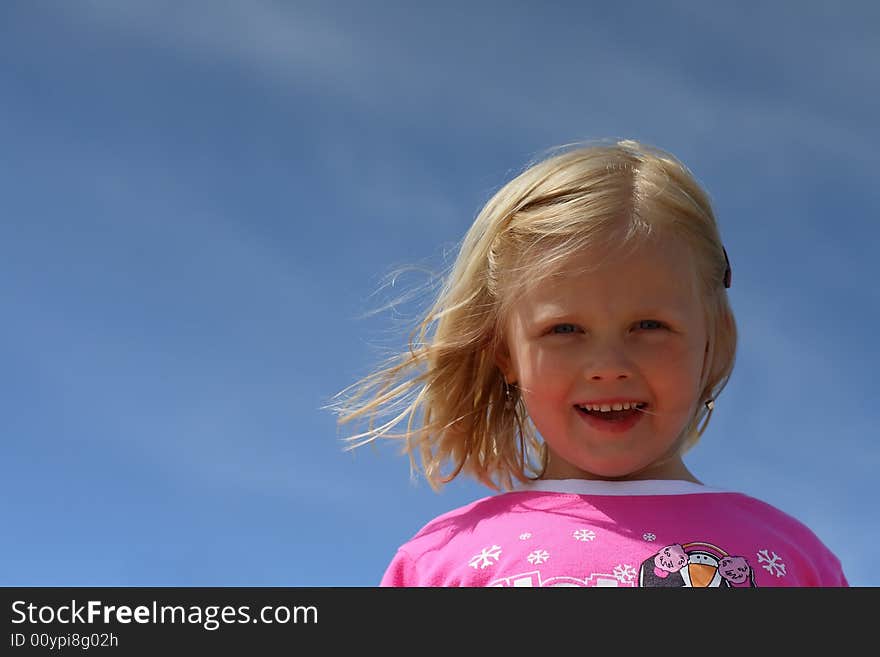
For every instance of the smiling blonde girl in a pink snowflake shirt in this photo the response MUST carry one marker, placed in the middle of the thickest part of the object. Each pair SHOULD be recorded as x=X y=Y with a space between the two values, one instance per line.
x=574 y=355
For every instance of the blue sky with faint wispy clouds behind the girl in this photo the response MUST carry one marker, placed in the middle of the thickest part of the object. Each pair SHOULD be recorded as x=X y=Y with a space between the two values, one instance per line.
x=200 y=201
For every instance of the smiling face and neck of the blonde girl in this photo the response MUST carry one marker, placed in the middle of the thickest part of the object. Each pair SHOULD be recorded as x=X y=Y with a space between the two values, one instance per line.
x=634 y=330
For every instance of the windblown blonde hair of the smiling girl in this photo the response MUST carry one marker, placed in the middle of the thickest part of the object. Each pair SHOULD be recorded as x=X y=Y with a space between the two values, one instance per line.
x=447 y=385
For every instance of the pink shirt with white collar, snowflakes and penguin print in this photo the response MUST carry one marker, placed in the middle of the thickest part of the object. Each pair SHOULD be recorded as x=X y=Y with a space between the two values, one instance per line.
x=626 y=533
